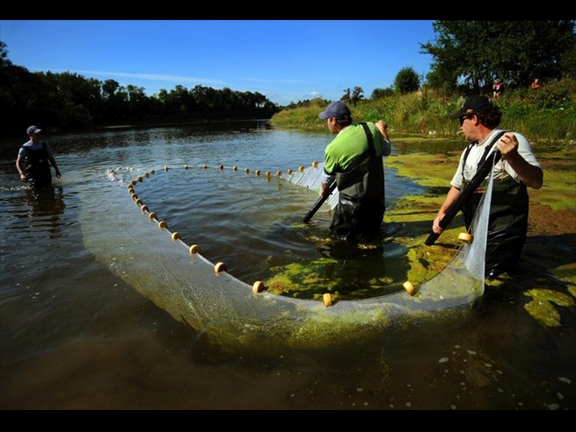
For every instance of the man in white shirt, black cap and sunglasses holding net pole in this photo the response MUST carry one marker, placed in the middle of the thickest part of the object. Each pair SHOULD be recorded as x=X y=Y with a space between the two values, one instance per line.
x=513 y=174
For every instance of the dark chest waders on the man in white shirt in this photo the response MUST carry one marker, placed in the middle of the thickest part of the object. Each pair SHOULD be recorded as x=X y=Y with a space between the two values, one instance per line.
x=508 y=221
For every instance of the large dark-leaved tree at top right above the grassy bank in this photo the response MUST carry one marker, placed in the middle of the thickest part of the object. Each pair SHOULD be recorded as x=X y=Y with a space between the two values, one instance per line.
x=474 y=53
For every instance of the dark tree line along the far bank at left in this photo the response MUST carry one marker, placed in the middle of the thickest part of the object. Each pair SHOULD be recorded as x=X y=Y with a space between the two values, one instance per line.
x=68 y=101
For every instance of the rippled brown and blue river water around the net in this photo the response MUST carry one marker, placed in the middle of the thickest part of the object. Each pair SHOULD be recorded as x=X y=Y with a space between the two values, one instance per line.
x=76 y=334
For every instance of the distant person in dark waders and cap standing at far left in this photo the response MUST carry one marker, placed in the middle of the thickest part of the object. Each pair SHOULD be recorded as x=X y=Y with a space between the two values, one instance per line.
x=34 y=160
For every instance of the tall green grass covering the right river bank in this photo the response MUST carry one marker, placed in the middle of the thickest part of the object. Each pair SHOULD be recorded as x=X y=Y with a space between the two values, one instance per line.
x=544 y=115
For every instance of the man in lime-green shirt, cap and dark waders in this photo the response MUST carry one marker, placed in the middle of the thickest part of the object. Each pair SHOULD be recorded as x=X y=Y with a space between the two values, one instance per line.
x=353 y=159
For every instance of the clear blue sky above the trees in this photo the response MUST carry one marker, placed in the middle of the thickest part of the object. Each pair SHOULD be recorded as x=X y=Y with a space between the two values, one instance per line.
x=285 y=60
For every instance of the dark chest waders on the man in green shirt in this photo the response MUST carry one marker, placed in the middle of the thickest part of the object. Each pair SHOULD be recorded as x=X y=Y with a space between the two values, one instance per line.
x=360 y=207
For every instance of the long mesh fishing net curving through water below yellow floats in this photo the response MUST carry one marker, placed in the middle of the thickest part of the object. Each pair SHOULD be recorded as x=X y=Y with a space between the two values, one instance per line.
x=191 y=288
